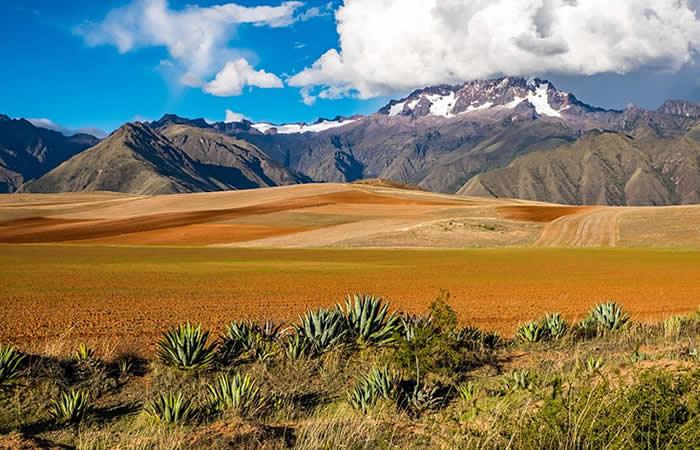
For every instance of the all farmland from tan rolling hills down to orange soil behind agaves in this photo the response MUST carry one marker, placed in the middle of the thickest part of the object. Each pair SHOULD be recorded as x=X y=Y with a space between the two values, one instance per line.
x=105 y=267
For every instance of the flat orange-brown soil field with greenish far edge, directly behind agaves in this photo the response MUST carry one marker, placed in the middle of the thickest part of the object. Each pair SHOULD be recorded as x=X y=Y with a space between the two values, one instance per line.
x=57 y=296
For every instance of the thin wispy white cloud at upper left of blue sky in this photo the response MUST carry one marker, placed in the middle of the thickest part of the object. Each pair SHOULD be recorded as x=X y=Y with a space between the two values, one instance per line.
x=196 y=37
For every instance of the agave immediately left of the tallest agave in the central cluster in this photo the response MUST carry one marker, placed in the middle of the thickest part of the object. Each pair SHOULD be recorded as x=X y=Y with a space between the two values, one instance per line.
x=323 y=329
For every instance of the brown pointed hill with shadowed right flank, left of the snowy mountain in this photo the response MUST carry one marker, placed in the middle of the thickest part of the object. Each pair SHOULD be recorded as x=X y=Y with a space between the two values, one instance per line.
x=139 y=159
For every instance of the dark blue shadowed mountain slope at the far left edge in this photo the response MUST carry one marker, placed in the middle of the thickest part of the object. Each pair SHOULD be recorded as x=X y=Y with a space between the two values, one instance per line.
x=28 y=152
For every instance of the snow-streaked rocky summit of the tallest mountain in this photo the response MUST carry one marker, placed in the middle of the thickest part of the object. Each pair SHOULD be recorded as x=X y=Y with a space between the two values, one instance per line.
x=503 y=94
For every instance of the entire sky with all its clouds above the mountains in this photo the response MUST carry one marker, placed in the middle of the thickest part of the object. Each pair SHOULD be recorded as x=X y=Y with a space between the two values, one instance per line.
x=93 y=65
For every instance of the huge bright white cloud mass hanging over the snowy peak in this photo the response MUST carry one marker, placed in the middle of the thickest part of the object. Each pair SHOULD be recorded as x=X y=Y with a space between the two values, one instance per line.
x=392 y=45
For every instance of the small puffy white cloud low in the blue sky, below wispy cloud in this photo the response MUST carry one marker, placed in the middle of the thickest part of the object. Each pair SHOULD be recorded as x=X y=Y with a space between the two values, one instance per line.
x=238 y=74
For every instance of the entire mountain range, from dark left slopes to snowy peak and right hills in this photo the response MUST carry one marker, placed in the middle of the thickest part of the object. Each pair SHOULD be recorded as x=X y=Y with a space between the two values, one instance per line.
x=508 y=137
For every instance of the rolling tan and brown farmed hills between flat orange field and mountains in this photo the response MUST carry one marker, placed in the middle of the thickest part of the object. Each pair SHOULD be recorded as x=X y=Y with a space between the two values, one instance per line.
x=336 y=215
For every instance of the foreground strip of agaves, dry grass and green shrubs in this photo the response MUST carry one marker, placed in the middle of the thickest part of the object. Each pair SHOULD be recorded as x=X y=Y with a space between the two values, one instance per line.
x=360 y=376
